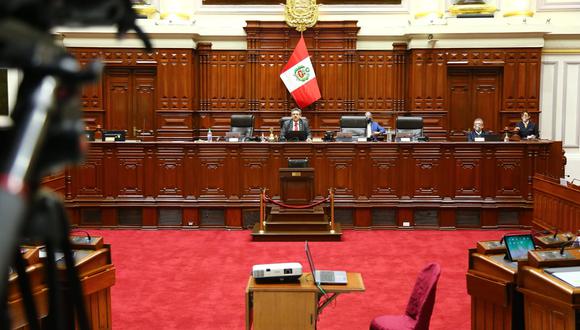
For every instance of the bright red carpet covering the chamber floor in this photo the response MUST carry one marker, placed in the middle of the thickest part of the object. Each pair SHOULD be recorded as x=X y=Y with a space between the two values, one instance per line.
x=197 y=279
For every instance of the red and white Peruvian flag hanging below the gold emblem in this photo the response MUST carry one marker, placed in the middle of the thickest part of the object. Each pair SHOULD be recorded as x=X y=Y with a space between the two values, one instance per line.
x=298 y=76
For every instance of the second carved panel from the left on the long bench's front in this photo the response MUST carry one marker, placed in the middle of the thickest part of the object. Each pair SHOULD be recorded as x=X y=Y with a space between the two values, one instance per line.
x=131 y=172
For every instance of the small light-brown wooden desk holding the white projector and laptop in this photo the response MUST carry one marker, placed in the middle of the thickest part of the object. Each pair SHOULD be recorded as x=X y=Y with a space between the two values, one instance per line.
x=291 y=306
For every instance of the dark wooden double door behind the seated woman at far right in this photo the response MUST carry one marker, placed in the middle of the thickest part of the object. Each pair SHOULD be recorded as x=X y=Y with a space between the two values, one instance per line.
x=473 y=93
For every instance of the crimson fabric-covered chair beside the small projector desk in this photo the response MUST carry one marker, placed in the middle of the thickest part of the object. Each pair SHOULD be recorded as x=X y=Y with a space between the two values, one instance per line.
x=420 y=306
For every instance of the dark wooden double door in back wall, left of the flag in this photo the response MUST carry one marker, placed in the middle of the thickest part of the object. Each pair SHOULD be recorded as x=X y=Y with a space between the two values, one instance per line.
x=130 y=98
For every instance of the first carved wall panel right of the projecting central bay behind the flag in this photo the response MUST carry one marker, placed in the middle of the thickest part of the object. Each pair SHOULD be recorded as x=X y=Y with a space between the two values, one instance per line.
x=376 y=72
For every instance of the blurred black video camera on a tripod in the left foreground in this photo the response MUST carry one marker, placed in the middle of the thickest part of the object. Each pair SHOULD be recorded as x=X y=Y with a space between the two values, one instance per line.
x=46 y=133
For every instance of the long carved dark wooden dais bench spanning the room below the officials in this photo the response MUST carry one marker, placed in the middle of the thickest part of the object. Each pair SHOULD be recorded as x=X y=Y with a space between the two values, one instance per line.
x=188 y=184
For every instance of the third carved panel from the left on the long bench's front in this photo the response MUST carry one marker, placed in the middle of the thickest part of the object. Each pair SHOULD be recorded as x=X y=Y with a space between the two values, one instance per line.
x=169 y=180
